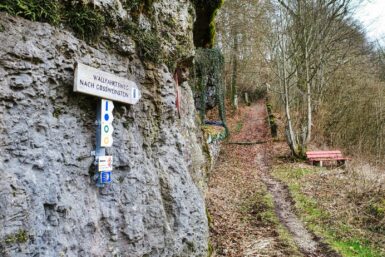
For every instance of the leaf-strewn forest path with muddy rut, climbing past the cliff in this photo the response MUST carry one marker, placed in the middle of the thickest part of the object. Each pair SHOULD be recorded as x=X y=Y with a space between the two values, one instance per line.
x=251 y=213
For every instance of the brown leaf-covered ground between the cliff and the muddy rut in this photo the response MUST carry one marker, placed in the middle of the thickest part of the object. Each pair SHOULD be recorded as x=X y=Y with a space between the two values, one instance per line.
x=236 y=198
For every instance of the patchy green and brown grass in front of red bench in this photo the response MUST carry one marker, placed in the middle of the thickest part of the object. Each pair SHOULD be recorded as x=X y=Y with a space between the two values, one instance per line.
x=347 y=207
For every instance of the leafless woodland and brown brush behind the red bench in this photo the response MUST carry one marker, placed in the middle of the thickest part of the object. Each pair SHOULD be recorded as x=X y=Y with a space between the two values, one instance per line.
x=311 y=58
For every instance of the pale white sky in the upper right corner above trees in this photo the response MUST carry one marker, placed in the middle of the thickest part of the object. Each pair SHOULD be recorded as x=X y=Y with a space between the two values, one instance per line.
x=372 y=15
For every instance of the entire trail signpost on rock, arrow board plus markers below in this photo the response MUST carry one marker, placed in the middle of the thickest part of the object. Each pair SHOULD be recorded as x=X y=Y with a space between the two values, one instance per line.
x=109 y=87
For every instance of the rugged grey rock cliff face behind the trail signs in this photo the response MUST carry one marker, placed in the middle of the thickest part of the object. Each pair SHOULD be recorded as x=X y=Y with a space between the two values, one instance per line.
x=49 y=205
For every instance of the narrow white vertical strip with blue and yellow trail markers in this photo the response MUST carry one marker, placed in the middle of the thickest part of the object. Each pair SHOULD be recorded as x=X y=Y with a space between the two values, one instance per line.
x=106 y=119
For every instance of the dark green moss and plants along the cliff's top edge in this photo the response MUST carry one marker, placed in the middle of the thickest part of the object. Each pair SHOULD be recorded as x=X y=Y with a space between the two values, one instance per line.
x=88 y=22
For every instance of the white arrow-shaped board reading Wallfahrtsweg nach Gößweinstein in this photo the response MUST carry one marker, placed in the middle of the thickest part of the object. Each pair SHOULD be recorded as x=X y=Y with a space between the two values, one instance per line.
x=92 y=81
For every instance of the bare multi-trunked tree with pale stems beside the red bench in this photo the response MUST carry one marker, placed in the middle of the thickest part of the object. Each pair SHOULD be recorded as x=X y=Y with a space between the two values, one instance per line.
x=307 y=32
